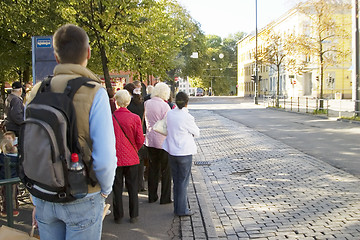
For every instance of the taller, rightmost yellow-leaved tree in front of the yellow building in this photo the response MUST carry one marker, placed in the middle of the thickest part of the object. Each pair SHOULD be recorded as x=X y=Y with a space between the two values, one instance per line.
x=322 y=34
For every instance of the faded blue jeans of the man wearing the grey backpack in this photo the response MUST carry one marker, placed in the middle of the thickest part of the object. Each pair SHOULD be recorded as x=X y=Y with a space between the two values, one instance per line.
x=80 y=219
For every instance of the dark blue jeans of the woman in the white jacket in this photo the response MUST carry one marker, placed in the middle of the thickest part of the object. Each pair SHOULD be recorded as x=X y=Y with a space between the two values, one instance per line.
x=180 y=169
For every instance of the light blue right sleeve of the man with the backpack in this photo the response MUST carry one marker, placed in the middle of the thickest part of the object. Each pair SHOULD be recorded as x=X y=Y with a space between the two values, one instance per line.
x=103 y=139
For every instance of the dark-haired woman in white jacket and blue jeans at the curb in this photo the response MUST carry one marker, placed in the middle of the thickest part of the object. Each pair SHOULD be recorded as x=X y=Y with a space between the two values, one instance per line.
x=180 y=145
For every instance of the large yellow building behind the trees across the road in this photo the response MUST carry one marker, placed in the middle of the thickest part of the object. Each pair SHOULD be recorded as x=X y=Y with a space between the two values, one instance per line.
x=337 y=73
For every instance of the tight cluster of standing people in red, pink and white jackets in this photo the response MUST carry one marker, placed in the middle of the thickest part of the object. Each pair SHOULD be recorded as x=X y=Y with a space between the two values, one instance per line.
x=169 y=157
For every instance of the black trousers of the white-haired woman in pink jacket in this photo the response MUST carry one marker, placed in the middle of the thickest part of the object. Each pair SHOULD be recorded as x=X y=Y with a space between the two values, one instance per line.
x=159 y=168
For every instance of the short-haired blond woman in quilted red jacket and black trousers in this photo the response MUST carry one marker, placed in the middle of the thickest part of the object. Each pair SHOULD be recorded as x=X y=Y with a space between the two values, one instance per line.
x=129 y=139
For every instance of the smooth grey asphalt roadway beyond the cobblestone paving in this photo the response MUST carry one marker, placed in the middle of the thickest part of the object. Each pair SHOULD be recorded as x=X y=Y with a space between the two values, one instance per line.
x=331 y=141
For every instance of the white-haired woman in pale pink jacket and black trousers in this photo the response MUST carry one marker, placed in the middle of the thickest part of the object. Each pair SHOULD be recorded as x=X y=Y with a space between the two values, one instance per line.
x=155 y=109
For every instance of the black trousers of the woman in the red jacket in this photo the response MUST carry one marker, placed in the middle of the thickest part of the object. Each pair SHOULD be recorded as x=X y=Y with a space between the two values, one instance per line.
x=130 y=173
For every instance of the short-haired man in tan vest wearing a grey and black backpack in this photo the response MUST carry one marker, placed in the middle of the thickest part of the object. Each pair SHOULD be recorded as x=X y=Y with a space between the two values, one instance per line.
x=58 y=217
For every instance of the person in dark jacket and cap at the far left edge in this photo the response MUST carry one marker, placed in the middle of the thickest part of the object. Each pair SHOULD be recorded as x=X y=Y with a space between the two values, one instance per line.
x=14 y=109
